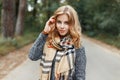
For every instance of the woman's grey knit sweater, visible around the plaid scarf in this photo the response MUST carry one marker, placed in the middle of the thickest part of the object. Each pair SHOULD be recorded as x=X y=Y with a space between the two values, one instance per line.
x=36 y=52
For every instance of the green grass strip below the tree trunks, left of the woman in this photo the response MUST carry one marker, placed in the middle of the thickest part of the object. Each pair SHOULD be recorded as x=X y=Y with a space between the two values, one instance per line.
x=9 y=45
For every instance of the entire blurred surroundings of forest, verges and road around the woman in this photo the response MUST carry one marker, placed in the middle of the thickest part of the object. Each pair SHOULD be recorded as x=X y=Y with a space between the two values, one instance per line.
x=21 y=21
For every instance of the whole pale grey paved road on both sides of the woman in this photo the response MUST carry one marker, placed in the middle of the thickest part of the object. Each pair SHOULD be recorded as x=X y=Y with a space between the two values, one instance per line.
x=102 y=64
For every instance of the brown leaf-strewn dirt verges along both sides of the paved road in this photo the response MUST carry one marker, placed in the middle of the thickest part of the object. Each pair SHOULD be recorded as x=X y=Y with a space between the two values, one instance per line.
x=15 y=58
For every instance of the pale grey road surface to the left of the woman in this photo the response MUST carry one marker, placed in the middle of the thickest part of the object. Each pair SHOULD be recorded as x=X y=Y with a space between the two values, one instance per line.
x=29 y=70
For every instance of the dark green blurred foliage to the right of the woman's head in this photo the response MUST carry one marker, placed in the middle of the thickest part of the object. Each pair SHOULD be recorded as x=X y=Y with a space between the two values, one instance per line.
x=99 y=16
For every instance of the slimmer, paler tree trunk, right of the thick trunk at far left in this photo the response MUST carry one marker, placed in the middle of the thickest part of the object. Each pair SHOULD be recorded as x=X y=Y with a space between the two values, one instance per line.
x=20 y=18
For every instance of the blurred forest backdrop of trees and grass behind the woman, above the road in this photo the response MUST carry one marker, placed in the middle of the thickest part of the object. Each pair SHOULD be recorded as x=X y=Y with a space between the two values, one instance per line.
x=22 y=20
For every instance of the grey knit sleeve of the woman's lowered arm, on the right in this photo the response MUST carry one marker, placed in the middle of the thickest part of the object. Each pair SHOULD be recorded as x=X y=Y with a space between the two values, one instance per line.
x=80 y=64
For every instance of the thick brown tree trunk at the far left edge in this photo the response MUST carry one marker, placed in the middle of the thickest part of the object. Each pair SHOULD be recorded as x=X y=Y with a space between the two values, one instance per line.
x=8 y=18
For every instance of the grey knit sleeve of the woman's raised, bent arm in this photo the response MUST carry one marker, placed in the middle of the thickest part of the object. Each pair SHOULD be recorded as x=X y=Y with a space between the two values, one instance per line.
x=37 y=48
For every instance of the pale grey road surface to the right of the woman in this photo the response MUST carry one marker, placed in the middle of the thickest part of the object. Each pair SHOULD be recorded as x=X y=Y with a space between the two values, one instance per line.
x=102 y=64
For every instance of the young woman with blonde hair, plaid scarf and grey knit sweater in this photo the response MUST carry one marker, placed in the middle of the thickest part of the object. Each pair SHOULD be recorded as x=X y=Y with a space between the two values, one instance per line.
x=59 y=47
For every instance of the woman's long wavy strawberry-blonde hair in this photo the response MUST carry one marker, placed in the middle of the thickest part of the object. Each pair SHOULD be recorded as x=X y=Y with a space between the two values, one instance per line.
x=75 y=28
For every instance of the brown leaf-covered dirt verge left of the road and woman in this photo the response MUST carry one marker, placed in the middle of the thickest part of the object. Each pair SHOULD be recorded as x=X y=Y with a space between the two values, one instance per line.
x=12 y=60
